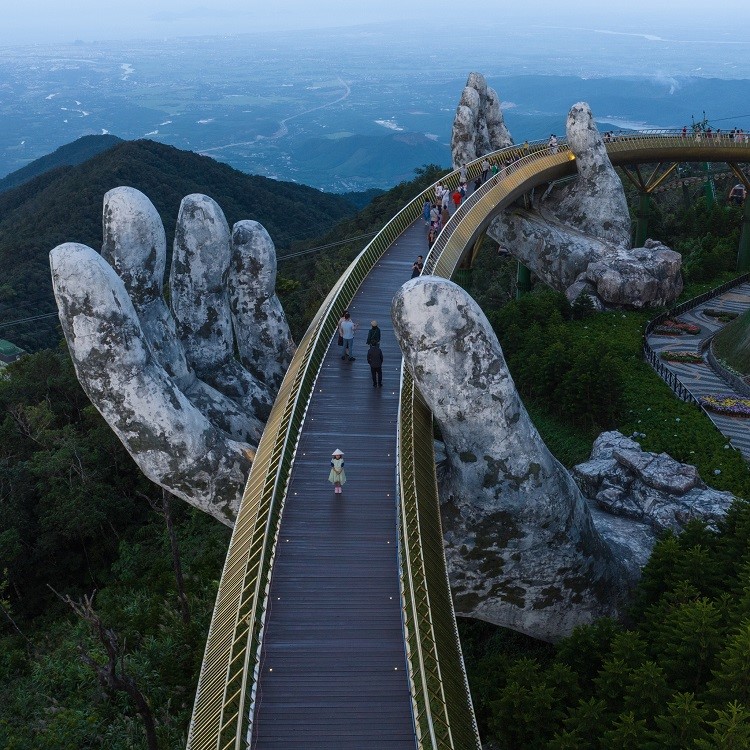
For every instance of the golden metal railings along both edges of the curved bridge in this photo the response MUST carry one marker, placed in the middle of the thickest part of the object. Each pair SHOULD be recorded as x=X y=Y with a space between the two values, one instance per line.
x=441 y=701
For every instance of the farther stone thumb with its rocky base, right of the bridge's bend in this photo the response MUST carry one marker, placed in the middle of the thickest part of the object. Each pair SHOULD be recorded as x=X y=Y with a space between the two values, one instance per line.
x=577 y=238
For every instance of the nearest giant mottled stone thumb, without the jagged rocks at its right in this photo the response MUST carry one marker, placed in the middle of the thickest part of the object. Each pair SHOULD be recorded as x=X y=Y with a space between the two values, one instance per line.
x=521 y=545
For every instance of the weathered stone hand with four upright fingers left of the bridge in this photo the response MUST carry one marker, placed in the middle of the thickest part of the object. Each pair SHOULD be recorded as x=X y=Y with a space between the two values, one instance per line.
x=166 y=380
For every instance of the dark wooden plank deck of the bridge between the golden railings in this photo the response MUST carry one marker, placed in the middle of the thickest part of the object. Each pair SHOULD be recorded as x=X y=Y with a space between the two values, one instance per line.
x=333 y=666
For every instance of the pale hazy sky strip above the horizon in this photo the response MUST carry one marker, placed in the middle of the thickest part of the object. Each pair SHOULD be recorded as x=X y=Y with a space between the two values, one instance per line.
x=41 y=21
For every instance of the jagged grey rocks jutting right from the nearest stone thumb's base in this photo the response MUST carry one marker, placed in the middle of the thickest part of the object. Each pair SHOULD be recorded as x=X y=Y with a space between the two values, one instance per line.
x=654 y=489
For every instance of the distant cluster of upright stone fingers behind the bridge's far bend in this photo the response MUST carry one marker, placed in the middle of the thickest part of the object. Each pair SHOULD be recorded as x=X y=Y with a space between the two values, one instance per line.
x=478 y=127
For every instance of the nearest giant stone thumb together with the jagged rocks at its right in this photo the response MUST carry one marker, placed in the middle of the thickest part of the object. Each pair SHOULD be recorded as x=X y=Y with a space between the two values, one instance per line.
x=525 y=547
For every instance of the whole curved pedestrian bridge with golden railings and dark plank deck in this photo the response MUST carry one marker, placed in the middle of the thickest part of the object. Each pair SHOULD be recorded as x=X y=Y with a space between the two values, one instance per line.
x=333 y=626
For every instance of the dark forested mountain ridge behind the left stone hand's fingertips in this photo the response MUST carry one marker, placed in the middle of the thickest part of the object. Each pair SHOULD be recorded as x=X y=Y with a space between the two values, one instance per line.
x=65 y=205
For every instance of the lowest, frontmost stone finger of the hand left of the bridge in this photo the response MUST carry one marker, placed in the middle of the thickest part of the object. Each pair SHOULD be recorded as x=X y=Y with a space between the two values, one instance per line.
x=171 y=441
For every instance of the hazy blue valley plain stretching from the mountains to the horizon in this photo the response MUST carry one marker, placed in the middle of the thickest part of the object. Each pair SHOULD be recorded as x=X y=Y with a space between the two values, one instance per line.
x=358 y=108
